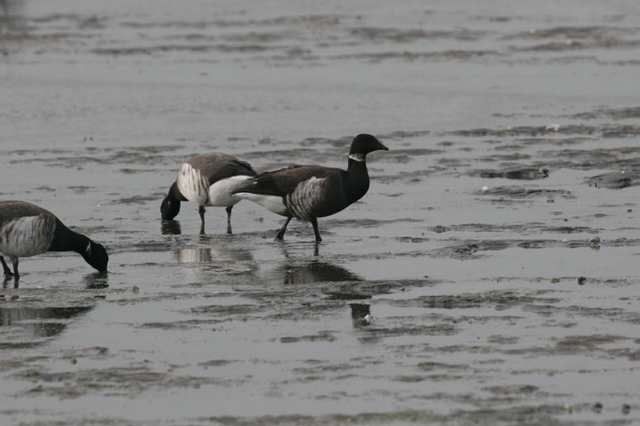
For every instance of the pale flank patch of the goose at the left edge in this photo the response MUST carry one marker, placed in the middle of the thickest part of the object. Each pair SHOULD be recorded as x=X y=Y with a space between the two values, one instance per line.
x=27 y=236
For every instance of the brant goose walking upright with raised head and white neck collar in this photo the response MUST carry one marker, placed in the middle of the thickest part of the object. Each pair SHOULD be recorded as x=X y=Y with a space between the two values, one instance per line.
x=310 y=192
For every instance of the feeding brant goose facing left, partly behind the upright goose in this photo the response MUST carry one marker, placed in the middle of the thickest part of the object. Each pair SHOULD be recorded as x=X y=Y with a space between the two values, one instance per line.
x=207 y=180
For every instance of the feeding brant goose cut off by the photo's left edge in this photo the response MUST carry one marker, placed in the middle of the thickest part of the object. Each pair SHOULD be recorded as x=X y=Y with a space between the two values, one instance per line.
x=27 y=230
